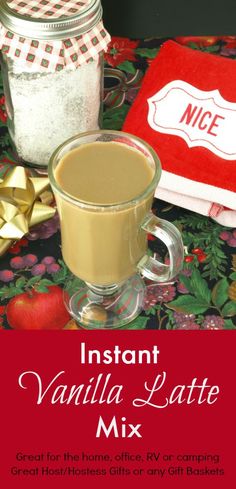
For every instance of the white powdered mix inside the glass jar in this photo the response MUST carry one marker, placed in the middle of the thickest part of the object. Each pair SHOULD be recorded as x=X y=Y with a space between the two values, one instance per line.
x=49 y=108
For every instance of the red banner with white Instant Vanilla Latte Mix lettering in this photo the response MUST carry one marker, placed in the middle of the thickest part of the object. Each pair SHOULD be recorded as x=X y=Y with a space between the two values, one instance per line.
x=117 y=408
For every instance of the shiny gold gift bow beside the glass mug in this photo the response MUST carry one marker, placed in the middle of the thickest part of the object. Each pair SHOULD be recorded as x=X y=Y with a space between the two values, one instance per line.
x=24 y=202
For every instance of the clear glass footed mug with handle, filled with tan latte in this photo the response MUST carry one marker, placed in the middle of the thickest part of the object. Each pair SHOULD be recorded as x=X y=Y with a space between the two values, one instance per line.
x=104 y=244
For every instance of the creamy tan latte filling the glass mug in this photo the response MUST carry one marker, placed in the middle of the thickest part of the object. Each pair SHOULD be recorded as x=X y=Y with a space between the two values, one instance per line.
x=104 y=202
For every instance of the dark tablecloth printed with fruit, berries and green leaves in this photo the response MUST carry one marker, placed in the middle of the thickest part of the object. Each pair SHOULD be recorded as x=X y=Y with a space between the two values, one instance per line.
x=202 y=296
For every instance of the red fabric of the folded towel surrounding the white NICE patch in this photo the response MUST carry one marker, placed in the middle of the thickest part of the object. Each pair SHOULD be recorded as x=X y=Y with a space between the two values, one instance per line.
x=205 y=72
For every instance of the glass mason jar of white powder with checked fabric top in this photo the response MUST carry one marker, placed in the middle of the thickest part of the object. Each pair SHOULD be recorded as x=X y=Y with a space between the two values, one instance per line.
x=52 y=68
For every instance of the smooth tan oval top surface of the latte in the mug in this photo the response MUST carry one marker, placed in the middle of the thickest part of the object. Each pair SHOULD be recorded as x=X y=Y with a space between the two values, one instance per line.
x=104 y=173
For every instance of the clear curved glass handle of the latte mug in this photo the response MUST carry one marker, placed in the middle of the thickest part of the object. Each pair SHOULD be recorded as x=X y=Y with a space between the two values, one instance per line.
x=171 y=237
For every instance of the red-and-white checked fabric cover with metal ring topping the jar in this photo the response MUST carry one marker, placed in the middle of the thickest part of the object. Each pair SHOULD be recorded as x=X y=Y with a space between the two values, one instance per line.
x=55 y=53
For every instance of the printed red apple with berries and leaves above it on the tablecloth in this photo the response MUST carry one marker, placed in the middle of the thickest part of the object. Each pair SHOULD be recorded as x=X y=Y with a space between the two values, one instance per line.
x=34 y=290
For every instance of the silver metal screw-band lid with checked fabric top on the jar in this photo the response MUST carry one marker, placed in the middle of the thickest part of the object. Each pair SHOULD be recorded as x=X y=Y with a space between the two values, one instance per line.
x=50 y=19
